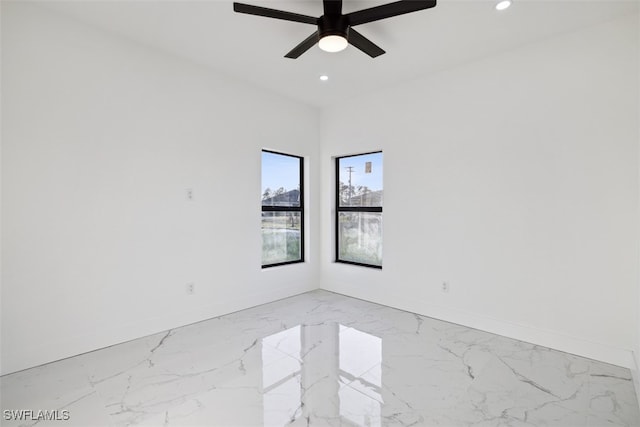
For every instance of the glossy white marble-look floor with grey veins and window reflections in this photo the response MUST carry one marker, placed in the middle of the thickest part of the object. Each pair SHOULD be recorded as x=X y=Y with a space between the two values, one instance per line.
x=328 y=360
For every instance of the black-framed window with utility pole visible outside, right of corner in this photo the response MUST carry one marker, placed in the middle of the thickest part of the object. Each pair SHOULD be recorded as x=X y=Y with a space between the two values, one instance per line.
x=359 y=196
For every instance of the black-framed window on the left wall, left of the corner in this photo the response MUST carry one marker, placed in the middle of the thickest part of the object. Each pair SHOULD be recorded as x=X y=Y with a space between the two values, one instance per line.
x=282 y=209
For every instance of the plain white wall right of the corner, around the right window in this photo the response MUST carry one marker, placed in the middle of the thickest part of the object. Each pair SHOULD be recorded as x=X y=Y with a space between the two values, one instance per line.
x=515 y=180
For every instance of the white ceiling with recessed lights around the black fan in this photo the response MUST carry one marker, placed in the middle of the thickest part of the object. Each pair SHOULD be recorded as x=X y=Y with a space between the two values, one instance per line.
x=252 y=48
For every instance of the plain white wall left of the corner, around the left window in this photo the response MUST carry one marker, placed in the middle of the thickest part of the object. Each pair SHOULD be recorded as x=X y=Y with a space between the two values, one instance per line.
x=101 y=137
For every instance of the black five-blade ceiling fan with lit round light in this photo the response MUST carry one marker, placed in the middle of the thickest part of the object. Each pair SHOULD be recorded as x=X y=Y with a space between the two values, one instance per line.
x=335 y=30
